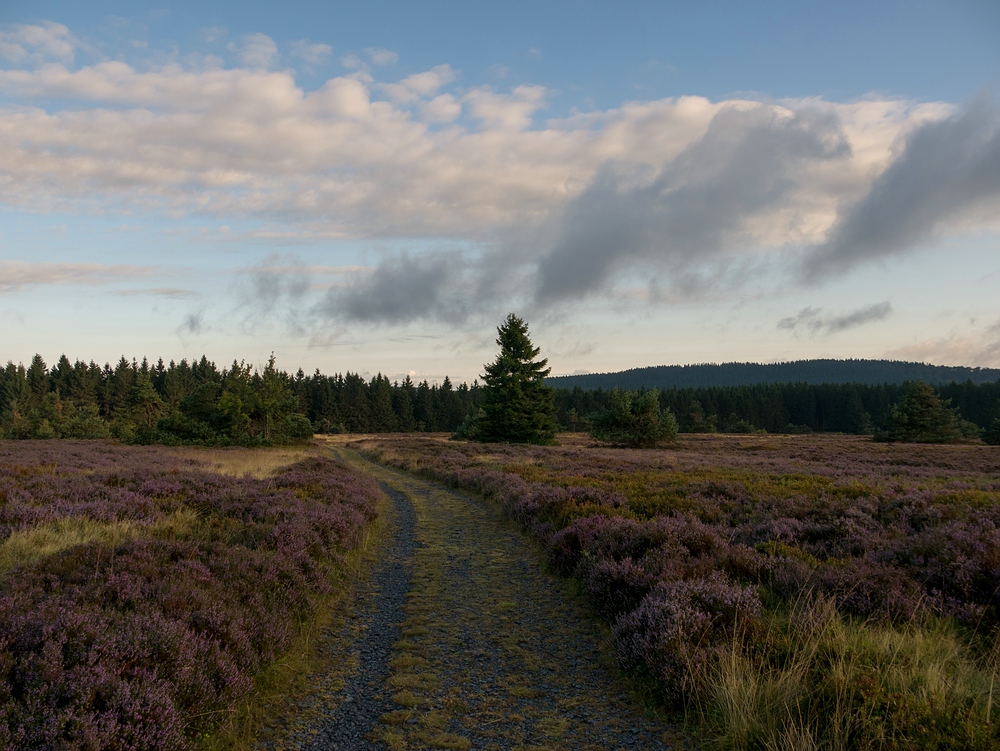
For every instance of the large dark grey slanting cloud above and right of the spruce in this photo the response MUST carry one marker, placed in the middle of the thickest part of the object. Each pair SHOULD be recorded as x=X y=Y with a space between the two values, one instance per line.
x=698 y=206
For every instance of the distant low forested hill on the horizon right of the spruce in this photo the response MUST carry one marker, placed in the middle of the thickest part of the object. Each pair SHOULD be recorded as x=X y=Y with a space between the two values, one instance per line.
x=799 y=371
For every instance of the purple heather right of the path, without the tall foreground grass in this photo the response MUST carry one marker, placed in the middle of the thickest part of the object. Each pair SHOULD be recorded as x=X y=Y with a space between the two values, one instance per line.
x=679 y=550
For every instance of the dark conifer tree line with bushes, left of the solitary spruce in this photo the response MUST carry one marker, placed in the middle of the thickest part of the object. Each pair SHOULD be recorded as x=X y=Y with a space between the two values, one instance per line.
x=197 y=402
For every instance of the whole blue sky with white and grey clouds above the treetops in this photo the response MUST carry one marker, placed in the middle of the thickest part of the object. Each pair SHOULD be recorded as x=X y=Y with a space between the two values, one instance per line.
x=372 y=187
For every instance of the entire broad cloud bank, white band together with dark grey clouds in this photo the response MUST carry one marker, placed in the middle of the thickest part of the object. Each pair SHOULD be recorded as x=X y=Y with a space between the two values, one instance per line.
x=545 y=212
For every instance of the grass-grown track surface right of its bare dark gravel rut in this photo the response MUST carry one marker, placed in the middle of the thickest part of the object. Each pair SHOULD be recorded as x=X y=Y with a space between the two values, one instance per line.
x=495 y=653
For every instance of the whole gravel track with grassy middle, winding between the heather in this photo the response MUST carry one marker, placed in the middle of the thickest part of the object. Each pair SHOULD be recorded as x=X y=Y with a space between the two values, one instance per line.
x=469 y=646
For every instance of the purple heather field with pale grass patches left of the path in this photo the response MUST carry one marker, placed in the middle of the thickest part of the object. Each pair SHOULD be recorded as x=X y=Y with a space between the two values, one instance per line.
x=143 y=589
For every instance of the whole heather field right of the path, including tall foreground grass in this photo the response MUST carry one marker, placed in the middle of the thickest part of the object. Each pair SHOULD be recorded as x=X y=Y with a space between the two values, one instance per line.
x=791 y=592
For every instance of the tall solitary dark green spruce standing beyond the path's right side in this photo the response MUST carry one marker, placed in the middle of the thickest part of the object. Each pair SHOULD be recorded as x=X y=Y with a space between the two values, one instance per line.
x=517 y=406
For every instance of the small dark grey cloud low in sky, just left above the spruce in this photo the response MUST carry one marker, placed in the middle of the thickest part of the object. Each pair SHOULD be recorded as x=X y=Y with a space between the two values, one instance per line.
x=404 y=288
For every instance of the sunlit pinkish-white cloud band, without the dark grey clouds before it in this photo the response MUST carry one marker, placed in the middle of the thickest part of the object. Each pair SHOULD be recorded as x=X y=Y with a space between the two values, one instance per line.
x=249 y=142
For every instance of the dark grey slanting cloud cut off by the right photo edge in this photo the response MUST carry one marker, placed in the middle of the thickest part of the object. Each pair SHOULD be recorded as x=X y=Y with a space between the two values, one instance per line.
x=946 y=170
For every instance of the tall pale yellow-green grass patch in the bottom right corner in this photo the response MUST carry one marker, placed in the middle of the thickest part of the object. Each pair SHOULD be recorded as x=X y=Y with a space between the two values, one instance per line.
x=816 y=679
